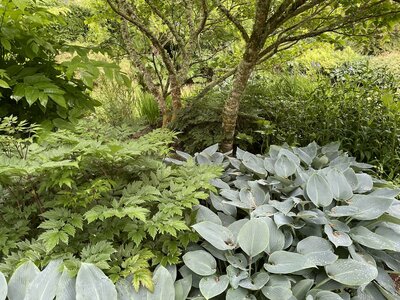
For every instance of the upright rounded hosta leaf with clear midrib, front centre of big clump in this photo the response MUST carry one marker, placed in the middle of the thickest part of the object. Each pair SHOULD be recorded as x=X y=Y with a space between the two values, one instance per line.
x=253 y=238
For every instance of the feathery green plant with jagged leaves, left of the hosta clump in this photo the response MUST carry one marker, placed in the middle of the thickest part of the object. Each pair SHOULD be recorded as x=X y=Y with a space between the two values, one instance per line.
x=85 y=197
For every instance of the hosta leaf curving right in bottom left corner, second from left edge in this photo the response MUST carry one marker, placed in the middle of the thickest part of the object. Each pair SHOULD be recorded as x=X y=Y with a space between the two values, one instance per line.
x=21 y=279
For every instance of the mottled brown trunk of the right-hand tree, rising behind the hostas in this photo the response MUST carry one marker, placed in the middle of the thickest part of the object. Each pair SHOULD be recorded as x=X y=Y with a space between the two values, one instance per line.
x=232 y=103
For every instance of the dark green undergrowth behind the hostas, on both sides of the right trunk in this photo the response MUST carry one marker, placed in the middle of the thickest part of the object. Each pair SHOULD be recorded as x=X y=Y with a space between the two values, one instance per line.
x=354 y=104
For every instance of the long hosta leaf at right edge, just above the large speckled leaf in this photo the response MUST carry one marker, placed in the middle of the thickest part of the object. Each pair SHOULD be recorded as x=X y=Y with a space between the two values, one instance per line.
x=372 y=240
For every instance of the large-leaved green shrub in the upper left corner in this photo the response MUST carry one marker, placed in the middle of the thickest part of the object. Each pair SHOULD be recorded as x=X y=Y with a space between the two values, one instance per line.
x=34 y=85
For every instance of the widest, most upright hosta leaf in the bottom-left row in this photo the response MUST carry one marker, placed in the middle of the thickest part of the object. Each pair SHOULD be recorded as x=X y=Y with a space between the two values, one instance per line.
x=93 y=284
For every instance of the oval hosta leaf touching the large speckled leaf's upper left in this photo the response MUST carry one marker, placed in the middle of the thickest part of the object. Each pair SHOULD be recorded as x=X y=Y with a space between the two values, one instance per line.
x=317 y=250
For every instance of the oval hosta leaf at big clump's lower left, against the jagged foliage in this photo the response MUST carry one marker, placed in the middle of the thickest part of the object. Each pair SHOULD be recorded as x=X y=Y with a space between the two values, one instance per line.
x=200 y=262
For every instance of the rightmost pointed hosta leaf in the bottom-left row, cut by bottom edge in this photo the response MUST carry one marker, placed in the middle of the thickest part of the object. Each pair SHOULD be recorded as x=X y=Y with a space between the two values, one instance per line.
x=163 y=286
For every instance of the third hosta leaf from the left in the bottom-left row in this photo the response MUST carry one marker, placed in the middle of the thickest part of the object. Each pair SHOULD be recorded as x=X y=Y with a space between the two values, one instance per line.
x=44 y=286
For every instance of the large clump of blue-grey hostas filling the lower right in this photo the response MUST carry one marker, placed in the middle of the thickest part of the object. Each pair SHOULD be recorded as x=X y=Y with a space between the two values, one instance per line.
x=299 y=223
